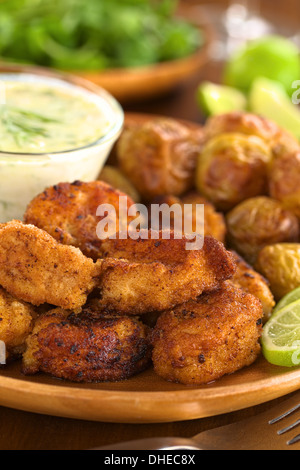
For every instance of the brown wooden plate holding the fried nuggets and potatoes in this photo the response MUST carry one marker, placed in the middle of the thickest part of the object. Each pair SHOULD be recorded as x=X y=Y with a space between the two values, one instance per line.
x=145 y=398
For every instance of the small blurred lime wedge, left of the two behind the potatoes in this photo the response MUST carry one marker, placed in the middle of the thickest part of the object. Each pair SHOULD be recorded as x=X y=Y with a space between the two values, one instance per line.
x=218 y=99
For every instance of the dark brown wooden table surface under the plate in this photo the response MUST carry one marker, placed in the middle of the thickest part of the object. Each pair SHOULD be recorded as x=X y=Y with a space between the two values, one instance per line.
x=29 y=431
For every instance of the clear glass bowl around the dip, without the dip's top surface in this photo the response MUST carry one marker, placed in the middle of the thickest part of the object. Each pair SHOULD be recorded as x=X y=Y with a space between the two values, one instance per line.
x=24 y=175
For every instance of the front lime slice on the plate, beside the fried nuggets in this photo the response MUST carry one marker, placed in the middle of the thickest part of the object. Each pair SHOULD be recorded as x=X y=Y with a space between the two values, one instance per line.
x=281 y=337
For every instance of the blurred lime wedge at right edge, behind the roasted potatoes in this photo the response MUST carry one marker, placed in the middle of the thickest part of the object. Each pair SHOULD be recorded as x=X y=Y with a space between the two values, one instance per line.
x=269 y=99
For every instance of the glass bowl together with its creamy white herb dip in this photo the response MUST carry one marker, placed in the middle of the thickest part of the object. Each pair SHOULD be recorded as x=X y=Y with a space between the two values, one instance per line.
x=51 y=131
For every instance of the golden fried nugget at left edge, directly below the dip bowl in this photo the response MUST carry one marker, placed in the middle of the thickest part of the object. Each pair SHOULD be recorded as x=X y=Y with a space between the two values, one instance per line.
x=37 y=269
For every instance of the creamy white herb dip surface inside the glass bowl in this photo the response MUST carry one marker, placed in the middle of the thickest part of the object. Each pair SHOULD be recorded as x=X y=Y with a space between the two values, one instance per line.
x=46 y=116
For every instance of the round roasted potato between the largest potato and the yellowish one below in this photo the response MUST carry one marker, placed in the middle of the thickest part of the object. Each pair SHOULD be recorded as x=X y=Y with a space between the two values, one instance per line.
x=259 y=222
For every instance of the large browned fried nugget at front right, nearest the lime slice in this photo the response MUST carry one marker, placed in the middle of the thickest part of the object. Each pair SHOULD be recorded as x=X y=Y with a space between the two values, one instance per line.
x=204 y=339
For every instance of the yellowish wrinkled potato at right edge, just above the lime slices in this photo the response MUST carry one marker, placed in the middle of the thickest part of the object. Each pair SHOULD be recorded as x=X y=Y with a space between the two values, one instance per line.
x=280 y=264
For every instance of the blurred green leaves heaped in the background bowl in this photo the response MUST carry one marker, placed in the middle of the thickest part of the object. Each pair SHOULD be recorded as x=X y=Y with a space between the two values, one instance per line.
x=94 y=34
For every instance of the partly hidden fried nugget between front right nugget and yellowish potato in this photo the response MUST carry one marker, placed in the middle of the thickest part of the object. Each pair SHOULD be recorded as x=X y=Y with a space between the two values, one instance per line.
x=253 y=283
